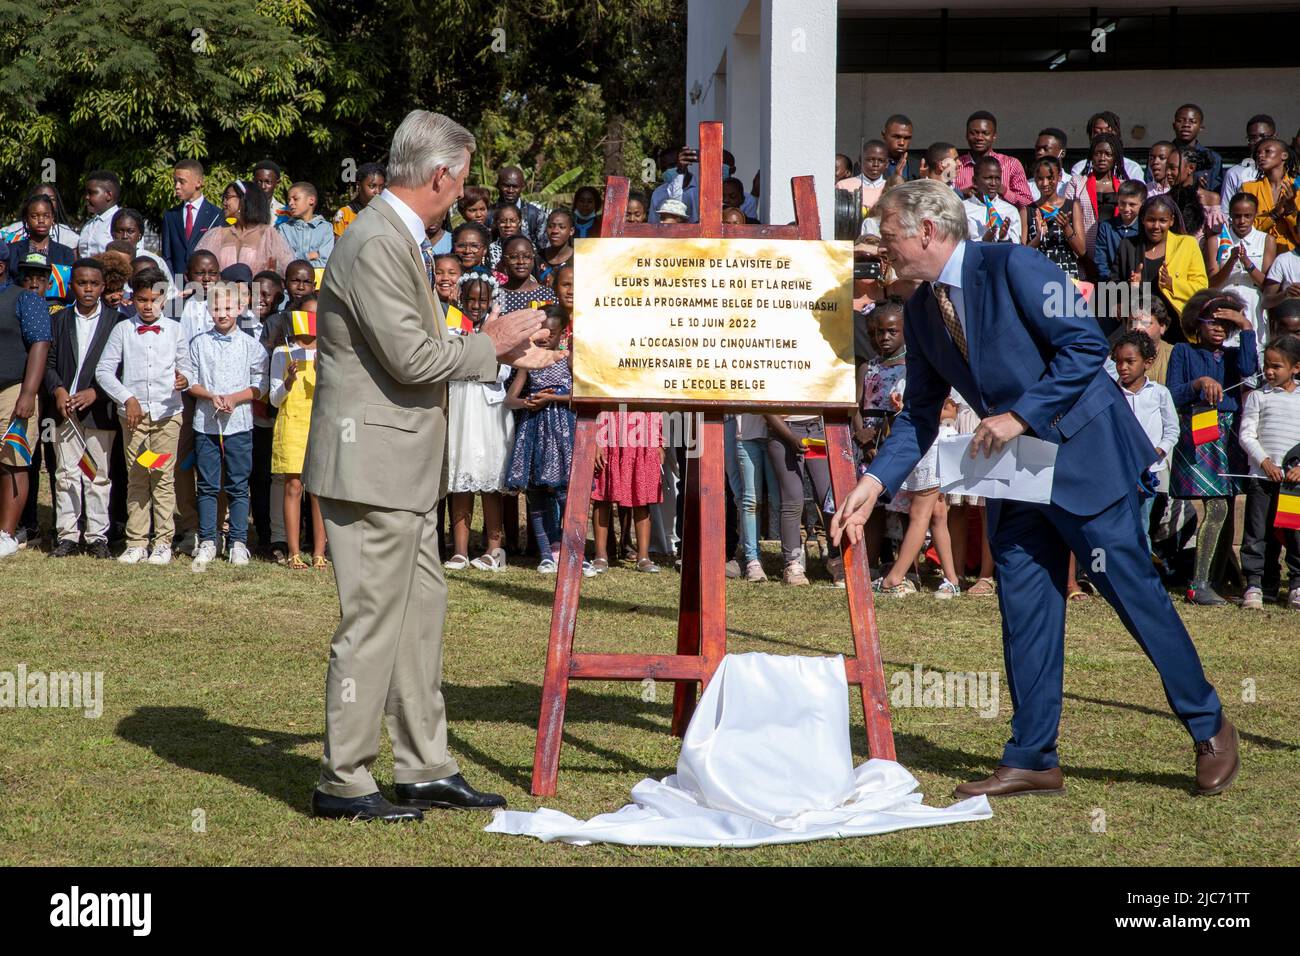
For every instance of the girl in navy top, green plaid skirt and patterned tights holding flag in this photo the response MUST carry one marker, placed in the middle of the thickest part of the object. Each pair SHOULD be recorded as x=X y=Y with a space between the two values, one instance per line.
x=1203 y=379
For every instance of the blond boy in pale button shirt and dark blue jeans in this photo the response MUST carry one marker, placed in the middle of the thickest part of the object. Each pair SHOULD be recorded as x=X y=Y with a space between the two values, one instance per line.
x=229 y=375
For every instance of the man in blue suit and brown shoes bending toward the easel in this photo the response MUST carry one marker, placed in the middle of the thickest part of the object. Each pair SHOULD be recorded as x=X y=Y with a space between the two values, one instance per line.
x=1006 y=327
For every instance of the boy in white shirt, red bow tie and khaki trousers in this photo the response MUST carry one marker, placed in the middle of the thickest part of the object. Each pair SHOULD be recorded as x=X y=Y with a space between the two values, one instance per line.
x=155 y=370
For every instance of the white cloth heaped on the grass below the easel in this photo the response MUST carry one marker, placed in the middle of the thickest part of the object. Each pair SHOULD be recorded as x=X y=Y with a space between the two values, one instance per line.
x=766 y=760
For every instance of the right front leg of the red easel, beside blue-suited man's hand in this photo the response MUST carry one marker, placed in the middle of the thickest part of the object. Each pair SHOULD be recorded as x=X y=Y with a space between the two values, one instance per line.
x=863 y=611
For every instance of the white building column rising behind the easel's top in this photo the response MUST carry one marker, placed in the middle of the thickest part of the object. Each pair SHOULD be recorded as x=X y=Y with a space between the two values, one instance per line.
x=798 y=81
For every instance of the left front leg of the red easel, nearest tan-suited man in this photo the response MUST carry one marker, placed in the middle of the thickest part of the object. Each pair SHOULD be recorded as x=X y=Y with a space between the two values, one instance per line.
x=551 y=725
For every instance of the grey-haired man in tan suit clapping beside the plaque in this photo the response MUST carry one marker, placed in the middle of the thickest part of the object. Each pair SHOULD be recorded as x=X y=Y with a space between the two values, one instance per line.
x=376 y=461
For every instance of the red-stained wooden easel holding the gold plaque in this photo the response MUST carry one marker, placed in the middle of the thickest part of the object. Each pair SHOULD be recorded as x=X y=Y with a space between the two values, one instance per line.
x=703 y=615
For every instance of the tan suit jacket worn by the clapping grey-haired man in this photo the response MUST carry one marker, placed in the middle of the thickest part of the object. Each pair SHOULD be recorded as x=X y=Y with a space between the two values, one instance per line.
x=383 y=365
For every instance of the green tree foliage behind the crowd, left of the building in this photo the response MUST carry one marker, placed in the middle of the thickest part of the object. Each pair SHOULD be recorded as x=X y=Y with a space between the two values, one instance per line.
x=553 y=86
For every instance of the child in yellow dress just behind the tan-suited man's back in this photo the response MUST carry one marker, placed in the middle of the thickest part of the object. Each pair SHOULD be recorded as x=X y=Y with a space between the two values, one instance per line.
x=293 y=384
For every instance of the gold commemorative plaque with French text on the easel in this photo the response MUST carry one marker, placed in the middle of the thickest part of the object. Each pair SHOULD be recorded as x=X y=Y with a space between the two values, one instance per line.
x=746 y=322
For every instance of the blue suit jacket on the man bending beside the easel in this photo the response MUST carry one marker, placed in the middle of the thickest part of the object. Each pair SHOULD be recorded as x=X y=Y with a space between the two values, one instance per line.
x=1025 y=358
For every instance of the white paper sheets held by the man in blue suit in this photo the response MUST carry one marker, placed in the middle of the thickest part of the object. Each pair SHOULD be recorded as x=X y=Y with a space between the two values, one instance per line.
x=1022 y=471
